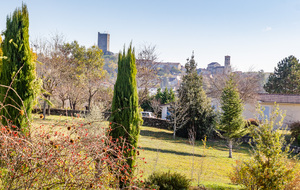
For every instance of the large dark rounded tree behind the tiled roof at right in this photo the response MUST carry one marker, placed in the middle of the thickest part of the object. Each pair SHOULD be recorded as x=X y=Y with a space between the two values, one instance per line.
x=286 y=77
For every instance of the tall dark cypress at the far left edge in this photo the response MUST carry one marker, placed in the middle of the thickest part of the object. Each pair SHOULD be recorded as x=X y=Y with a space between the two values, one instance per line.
x=18 y=70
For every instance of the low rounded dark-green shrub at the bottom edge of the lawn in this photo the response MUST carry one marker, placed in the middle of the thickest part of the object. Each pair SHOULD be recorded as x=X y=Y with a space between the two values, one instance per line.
x=169 y=181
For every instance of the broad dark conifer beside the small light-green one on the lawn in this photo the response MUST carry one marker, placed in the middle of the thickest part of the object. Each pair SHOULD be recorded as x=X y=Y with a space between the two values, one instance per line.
x=199 y=114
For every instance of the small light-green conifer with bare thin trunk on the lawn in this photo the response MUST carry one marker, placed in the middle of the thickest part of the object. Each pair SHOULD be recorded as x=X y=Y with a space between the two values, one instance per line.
x=232 y=122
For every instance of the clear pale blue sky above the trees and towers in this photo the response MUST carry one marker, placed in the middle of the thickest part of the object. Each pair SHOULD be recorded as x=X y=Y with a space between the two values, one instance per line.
x=257 y=34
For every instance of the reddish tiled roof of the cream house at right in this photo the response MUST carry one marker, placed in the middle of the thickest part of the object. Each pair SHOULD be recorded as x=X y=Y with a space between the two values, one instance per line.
x=280 y=98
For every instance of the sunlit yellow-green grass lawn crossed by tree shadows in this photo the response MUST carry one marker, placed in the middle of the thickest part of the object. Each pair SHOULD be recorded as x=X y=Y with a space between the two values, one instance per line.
x=162 y=153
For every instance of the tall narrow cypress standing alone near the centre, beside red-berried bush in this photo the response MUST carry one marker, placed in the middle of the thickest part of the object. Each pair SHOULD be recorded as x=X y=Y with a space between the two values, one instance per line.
x=126 y=118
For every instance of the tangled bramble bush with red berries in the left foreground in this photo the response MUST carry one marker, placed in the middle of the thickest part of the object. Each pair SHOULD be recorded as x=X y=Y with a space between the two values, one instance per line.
x=50 y=158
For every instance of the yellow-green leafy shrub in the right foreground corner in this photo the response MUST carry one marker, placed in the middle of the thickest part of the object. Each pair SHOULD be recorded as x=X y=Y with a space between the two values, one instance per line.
x=269 y=167
